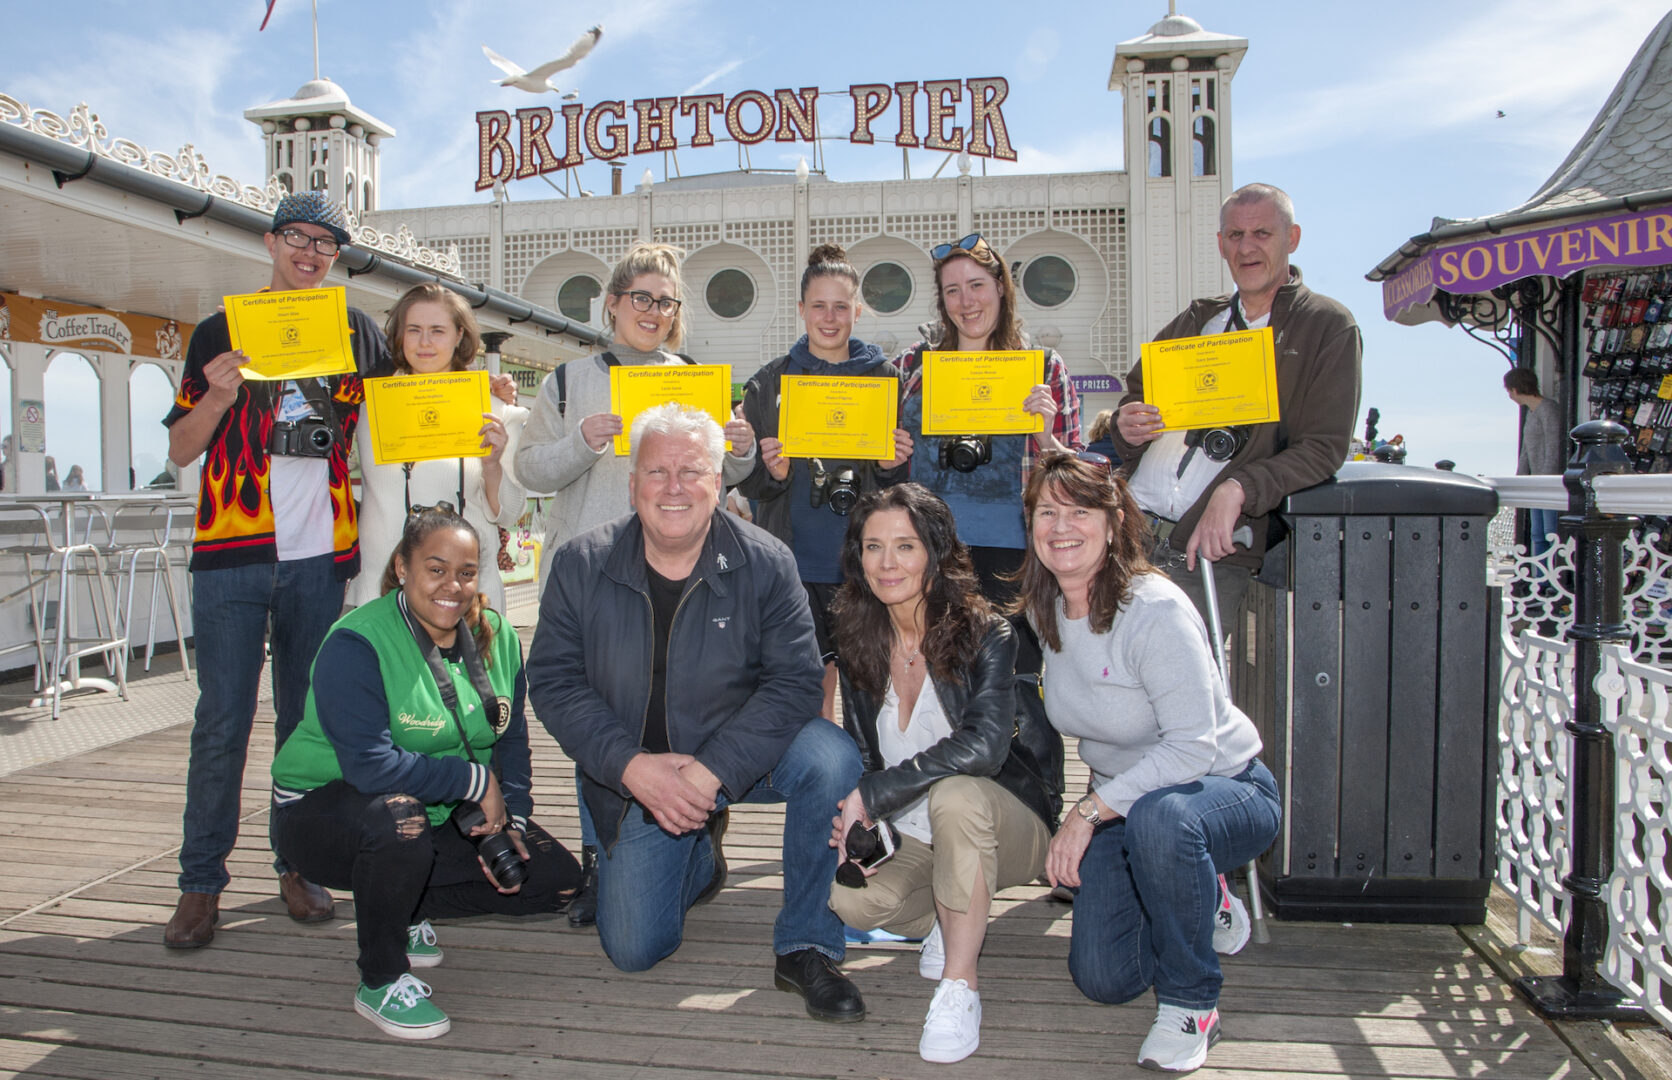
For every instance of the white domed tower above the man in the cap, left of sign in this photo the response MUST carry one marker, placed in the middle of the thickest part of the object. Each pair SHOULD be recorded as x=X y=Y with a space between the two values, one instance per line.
x=319 y=141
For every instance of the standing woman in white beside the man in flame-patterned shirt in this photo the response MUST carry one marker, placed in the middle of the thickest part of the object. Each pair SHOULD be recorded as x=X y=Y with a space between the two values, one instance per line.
x=432 y=330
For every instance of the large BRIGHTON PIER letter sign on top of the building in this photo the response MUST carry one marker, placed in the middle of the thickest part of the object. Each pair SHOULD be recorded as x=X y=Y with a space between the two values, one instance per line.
x=514 y=148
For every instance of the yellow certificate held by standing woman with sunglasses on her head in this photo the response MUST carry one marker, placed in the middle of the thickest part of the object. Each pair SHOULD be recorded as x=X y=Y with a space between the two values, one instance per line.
x=981 y=394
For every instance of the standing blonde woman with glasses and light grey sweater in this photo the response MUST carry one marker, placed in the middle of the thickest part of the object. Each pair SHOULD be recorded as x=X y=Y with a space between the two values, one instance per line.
x=568 y=446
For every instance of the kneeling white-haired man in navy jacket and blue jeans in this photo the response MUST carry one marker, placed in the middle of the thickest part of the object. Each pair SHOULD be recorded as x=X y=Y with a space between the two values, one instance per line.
x=676 y=663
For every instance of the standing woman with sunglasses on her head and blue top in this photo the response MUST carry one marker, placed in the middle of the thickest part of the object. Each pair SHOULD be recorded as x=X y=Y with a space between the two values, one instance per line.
x=976 y=298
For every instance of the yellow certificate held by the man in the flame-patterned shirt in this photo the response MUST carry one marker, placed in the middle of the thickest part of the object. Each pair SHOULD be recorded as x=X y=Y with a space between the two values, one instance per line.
x=292 y=335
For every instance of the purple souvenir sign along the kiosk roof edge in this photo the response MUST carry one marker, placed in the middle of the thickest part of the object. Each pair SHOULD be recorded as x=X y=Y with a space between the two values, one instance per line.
x=1643 y=238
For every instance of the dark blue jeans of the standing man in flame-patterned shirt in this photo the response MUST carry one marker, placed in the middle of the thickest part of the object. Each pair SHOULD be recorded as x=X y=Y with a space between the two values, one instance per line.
x=232 y=611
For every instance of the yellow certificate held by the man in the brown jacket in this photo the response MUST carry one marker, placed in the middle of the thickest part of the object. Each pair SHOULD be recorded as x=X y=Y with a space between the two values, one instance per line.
x=1213 y=382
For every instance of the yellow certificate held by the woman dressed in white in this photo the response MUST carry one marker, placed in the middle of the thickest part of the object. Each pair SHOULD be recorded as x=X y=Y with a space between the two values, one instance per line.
x=427 y=417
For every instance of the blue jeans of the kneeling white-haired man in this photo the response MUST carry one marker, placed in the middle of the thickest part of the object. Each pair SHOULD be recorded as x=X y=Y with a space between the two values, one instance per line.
x=650 y=879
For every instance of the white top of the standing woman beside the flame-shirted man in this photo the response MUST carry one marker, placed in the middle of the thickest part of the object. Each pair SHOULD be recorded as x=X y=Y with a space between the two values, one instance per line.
x=384 y=507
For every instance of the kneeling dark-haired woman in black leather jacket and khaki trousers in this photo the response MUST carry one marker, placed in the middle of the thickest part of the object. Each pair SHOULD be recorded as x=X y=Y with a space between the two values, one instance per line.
x=954 y=762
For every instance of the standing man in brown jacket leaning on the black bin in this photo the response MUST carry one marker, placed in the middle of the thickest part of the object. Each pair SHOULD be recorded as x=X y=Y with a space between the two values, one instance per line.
x=1200 y=497
